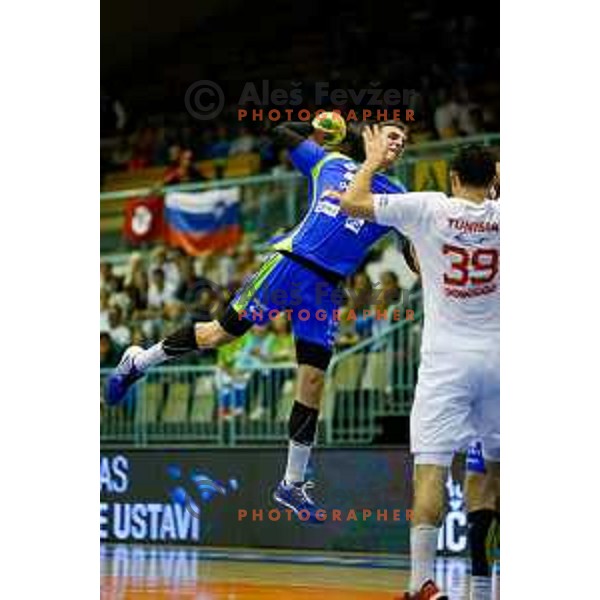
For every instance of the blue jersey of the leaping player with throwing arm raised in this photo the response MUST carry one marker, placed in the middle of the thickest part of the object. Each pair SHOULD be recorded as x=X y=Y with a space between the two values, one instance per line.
x=327 y=236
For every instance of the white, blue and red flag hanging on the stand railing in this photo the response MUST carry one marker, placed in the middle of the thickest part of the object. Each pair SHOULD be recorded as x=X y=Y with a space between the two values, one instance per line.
x=201 y=221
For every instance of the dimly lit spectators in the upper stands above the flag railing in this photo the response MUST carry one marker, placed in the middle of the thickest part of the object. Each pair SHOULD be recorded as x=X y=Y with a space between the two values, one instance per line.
x=178 y=142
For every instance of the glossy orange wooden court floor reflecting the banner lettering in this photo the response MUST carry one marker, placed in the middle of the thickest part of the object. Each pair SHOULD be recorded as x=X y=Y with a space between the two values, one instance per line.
x=155 y=573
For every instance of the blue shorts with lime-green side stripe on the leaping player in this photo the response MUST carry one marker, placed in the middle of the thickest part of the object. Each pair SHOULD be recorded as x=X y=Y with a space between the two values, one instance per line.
x=308 y=300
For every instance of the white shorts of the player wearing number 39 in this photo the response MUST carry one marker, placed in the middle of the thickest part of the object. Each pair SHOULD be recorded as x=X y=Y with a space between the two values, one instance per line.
x=457 y=401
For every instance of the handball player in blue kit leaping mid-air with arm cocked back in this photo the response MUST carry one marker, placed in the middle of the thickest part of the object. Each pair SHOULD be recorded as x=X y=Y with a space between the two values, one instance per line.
x=303 y=277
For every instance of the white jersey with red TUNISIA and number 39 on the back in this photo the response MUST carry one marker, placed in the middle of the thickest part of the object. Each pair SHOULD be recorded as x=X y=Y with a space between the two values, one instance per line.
x=458 y=248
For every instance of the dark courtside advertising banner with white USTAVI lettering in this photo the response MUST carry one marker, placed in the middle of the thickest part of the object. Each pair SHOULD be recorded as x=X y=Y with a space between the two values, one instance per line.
x=222 y=497
